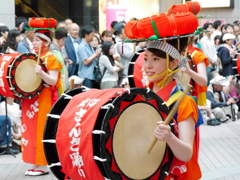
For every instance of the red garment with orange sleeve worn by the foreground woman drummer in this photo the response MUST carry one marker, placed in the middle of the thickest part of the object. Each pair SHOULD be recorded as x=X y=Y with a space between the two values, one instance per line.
x=186 y=108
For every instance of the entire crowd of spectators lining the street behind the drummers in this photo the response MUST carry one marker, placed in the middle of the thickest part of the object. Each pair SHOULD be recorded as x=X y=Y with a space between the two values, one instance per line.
x=82 y=47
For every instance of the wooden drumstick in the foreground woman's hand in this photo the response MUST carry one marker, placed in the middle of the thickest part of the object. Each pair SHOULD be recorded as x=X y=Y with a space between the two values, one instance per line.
x=171 y=114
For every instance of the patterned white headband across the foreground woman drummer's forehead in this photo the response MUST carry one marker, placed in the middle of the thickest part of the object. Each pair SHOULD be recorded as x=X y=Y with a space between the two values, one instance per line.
x=165 y=47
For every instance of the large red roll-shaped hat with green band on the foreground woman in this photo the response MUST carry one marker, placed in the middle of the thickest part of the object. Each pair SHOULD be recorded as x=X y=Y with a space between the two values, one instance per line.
x=180 y=20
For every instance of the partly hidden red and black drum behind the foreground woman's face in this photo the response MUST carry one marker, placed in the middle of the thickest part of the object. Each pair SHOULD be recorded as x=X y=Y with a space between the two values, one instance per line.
x=138 y=78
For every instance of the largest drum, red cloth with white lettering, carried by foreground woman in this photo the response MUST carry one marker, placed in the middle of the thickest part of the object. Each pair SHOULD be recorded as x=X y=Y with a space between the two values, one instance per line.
x=104 y=134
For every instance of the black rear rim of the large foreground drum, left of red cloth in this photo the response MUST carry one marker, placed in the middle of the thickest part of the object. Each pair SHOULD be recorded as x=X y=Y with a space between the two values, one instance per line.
x=51 y=130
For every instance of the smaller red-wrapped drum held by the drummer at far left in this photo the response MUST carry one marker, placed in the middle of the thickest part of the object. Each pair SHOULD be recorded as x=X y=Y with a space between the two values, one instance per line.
x=17 y=75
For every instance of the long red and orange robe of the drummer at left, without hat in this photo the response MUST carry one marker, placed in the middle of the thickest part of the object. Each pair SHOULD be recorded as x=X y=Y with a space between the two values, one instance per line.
x=34 y=117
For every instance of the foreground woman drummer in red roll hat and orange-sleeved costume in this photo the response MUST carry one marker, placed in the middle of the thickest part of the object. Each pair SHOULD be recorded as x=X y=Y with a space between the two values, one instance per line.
x=161 y=61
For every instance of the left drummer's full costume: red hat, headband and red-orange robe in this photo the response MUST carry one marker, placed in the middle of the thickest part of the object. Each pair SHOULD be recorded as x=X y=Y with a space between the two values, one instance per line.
x=34 y=110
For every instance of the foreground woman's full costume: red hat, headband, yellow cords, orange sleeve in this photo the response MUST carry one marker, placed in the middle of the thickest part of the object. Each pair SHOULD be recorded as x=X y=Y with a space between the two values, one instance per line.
x=161 y=27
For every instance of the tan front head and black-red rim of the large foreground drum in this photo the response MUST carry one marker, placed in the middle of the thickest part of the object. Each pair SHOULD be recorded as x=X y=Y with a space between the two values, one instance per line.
x=129 y=130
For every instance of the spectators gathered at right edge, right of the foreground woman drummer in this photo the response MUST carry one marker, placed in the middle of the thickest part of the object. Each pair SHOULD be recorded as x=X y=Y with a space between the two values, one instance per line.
x=220 y=43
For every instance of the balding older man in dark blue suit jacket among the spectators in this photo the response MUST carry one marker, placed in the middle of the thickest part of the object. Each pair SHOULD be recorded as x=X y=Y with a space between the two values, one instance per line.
x=71 y=45
